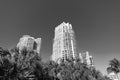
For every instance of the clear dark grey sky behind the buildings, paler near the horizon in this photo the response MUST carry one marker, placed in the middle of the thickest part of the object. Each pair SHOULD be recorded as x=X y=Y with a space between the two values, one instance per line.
x=96 y=24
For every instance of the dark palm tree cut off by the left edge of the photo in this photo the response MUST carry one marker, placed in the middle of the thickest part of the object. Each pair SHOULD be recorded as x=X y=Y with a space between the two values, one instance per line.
x=6 y=65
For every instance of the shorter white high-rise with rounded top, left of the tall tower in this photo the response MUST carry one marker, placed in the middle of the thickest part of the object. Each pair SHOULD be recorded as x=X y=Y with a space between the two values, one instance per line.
x=29 y=43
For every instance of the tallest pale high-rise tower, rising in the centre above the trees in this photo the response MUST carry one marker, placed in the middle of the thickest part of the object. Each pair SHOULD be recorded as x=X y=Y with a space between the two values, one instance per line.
x=64 y=44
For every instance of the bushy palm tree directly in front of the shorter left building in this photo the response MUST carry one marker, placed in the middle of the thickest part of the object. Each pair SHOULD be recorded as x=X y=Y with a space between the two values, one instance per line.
x=26 y=63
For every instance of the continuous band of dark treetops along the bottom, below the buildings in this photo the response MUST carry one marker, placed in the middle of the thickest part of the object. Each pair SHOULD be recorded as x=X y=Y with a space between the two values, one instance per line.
x=25 y=65
